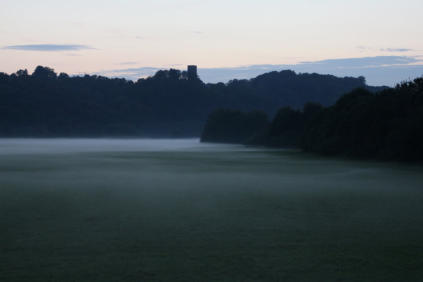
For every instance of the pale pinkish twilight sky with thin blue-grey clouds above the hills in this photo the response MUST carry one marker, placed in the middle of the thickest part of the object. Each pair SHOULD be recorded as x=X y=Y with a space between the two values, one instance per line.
x=380 y=39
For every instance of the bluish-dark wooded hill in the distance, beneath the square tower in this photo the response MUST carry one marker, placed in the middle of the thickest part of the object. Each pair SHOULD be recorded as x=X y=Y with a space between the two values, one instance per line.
x=171 y=103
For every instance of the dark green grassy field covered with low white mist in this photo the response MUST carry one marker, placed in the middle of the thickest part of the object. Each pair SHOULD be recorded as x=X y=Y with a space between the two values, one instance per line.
x=148 y=210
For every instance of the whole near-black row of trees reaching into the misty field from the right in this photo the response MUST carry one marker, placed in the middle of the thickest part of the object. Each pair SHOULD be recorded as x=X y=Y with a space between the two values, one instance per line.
x=384 y=125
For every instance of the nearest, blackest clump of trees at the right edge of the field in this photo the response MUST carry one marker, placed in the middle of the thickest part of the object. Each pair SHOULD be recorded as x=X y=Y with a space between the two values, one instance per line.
x=387 y=125
